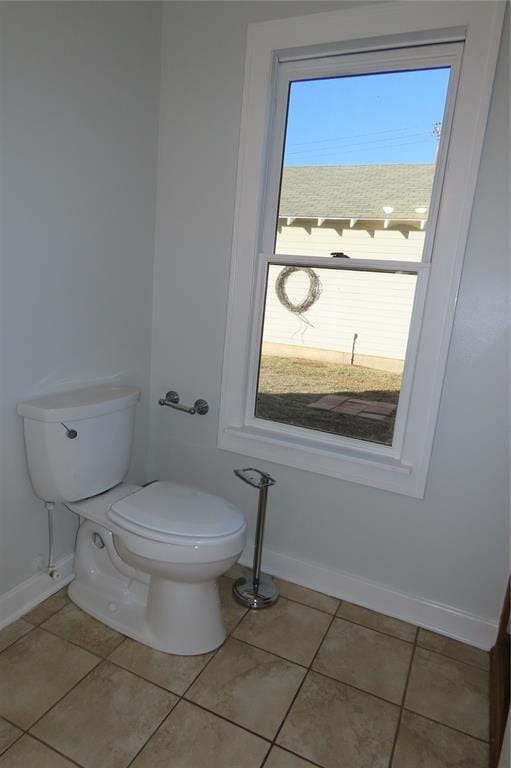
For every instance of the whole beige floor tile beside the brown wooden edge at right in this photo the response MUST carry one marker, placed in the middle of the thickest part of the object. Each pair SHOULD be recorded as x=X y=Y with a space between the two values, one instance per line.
x=449 y=691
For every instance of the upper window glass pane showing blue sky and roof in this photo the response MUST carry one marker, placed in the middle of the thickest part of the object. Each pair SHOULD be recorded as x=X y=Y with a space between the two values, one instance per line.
x=359 y=161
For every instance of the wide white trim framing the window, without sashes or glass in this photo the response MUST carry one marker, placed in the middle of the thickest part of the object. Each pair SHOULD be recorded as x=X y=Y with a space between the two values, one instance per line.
x=382 y=26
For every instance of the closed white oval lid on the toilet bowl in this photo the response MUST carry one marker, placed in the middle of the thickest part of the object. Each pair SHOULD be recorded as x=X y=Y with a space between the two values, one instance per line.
x=178 y=510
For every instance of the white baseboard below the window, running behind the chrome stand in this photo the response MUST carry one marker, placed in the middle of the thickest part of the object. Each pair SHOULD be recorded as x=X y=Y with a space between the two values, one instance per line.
x=474 y=630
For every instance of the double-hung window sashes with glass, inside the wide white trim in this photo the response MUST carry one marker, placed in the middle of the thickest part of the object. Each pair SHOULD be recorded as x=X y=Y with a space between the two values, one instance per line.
x=356 y=179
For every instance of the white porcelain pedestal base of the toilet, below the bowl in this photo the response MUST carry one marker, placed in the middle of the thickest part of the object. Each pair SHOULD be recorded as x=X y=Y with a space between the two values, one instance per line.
x=173 y=617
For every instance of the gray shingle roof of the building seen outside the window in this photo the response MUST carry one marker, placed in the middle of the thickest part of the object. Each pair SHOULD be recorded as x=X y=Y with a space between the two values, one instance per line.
x=356 y=191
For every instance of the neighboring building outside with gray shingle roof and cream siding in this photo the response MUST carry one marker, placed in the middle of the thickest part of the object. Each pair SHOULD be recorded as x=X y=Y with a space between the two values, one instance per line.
x=364 y=212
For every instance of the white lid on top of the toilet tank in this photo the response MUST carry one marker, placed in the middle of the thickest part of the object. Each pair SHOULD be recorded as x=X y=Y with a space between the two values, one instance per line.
x=78 y=404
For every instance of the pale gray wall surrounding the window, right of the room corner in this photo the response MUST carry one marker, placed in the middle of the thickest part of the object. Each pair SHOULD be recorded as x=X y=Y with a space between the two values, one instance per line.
x=450 y=547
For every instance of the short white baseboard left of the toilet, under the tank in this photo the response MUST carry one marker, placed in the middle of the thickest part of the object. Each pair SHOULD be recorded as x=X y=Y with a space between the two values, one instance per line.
x=25 y=596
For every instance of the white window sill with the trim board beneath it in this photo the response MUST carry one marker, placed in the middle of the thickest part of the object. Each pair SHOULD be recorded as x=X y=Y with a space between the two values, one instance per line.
x=363 y=467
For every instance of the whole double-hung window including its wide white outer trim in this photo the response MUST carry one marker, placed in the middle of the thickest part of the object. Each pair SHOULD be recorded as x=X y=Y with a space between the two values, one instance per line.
x=349 y=236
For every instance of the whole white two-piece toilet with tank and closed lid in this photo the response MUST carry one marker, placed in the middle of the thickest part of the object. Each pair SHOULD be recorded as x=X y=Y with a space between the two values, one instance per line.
x=147 y=559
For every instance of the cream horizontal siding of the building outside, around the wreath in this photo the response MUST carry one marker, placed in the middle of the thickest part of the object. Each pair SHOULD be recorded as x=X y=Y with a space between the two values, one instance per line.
x=375 y=306
